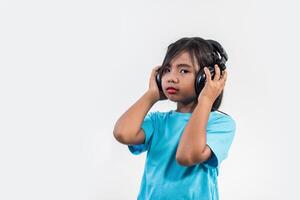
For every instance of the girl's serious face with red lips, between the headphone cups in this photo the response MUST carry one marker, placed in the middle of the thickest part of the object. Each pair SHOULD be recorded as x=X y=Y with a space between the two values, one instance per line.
x=180 y=74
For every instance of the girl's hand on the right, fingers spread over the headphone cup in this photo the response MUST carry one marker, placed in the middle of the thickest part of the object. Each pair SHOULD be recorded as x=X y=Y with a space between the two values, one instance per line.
x=213 y=88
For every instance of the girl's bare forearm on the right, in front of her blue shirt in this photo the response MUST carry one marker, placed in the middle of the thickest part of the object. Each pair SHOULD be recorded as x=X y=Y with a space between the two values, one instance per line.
x=193 y=139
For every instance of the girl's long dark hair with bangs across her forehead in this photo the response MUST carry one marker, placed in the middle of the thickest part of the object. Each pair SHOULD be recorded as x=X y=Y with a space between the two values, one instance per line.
x=198 y=48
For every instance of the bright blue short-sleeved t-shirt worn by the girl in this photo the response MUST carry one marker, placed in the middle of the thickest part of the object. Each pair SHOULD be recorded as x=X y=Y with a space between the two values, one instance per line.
x=163 y=177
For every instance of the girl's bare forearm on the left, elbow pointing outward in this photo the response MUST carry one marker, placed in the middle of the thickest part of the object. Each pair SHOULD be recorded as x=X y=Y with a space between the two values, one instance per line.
x=130 y=122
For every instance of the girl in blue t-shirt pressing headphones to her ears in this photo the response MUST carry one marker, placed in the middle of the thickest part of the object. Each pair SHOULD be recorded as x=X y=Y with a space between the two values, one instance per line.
x=186 y=146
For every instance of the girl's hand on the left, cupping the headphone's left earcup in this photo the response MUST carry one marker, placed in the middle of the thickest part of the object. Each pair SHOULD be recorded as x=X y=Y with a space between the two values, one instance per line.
x=153 y=88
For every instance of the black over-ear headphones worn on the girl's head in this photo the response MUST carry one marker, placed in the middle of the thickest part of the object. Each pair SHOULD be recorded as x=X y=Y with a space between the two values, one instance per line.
x=201 y=77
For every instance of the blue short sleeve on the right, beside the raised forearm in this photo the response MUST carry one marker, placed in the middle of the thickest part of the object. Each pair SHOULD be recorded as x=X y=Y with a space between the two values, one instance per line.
x=219 y=137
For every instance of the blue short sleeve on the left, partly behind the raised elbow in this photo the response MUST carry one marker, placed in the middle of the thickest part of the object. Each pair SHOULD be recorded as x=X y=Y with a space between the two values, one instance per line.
x=148 y=126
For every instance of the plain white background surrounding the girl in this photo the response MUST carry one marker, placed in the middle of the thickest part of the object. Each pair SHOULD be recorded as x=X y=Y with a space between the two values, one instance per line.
x=69 y=69
